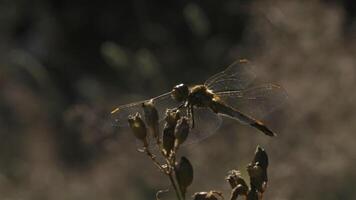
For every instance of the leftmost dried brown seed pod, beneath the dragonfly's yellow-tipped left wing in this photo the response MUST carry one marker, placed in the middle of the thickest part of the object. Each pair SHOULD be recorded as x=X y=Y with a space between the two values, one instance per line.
x=138 y=127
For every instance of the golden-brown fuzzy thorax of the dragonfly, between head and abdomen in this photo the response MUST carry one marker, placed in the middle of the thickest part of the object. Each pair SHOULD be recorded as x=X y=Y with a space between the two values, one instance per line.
x=200 y=96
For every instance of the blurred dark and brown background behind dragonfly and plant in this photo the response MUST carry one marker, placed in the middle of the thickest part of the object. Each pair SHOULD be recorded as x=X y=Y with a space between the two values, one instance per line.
x=64 y=65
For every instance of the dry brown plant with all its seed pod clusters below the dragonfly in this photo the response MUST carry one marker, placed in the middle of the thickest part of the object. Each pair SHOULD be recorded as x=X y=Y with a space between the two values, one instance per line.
x=180 y=173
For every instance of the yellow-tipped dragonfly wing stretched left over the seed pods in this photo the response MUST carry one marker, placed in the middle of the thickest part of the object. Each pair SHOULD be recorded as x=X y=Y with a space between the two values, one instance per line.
x=162 y=102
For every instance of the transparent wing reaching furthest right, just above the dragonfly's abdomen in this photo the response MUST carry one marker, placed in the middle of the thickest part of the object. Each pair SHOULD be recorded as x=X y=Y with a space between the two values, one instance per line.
x=257 y=101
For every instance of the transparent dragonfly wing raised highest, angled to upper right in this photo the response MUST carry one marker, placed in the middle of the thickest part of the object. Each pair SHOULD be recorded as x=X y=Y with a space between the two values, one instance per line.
x=237 y=76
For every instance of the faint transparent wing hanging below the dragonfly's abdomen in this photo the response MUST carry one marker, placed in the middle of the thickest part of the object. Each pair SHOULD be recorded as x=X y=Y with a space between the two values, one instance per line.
x=206 y=123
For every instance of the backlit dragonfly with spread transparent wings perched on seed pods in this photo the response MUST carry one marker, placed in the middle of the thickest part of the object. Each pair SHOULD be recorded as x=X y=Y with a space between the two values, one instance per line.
x=229 y=93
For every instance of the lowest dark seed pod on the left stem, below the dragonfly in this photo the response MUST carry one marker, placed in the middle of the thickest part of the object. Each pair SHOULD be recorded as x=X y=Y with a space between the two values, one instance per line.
x=184 y=174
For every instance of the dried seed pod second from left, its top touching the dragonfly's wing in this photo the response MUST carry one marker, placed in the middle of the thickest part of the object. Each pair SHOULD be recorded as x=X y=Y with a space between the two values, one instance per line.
x=151 y=117
